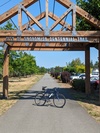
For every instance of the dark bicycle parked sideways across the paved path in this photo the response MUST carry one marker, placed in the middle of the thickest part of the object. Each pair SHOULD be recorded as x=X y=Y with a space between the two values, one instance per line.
x=41 y=98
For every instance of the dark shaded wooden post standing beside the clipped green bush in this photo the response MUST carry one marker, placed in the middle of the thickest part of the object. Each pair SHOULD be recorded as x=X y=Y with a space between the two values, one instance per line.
x=87 y=70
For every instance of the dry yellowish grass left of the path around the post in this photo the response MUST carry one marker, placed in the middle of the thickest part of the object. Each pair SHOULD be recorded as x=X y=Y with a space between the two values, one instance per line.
x=17 y=87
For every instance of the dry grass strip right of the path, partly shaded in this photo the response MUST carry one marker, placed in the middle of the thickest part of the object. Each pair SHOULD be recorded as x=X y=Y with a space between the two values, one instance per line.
x=90 y=103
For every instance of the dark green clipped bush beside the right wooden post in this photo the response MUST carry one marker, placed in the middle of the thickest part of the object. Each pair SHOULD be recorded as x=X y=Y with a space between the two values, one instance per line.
x=79 y=84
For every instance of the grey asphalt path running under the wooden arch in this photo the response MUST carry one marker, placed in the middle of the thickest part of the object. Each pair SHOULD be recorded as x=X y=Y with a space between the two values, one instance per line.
x=26 y=117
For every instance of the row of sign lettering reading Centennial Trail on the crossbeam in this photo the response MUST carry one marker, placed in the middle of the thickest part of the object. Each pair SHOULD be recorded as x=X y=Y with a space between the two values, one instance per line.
x=46 y=39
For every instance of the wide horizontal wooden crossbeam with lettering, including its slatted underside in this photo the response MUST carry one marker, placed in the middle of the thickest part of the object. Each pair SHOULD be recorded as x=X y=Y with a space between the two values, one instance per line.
x=62 y=40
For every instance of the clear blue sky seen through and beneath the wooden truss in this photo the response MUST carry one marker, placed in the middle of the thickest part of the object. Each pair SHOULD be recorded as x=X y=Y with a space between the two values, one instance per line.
x=49 y=59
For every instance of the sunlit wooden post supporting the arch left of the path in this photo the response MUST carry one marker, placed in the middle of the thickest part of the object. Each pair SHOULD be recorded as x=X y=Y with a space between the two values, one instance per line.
x=5 y=73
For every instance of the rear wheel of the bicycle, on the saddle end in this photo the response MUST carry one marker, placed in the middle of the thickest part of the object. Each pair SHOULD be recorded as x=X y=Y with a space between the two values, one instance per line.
x=40 y=99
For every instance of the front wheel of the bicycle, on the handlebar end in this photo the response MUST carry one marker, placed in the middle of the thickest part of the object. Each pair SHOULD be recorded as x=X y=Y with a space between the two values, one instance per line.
x=59 y=100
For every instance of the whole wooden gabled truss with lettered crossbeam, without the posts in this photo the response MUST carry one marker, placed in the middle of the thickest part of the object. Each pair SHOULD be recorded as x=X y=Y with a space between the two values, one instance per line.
x=55 y=39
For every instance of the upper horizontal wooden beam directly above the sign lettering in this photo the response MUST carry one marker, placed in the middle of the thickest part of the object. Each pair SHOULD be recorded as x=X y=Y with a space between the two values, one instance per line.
x=7 y=33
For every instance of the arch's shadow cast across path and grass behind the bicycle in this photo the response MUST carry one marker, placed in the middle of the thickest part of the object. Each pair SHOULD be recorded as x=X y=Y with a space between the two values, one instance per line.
x=67 y=92
